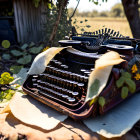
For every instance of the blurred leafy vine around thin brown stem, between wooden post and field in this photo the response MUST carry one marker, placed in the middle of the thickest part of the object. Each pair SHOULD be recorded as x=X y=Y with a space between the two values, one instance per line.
x=64 y=26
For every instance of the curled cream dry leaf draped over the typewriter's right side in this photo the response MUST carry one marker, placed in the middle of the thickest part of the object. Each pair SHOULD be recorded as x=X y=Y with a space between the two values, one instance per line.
x=103 y=67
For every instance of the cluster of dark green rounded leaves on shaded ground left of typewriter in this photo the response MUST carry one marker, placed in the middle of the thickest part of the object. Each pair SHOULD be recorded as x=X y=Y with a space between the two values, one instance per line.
x=21 y=55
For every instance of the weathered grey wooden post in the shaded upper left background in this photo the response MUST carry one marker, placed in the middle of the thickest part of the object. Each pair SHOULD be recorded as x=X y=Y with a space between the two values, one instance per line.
x=29 y=20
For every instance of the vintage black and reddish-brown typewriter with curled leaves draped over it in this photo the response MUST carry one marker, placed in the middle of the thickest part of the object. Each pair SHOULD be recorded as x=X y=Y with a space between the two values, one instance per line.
x=63 y=84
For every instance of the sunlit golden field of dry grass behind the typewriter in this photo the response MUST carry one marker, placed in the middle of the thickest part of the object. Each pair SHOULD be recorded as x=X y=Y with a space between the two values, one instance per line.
x=117 y=24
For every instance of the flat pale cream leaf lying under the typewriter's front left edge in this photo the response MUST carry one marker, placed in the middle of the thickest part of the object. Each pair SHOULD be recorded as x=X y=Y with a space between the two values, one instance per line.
x=32 y=112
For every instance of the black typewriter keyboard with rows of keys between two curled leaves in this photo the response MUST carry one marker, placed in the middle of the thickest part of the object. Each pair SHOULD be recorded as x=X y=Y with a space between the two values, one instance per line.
x=65 y=79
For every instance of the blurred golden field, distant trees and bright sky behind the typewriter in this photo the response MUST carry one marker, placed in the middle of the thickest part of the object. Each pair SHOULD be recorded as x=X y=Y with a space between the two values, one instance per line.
x=108 y=14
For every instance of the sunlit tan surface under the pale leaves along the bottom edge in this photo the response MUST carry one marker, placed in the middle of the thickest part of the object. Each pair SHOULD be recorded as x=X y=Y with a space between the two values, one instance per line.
x=12 y=128
